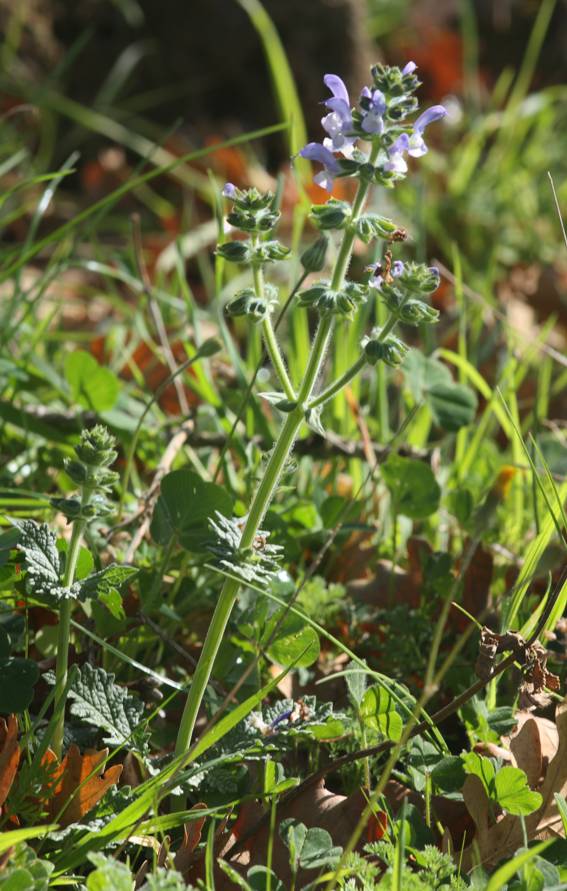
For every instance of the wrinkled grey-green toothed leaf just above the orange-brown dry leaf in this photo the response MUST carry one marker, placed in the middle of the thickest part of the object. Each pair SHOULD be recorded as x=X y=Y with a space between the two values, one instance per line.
x=98 y=701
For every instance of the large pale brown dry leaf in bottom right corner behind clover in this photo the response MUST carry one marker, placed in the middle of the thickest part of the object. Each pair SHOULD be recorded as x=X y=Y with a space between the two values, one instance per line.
x=492 y=842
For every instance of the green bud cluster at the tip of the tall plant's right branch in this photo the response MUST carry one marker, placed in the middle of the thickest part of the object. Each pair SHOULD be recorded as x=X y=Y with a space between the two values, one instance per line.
x=402 y=286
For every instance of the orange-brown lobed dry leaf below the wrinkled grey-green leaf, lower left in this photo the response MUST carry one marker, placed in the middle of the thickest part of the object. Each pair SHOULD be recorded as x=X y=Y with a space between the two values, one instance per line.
x=78 y=784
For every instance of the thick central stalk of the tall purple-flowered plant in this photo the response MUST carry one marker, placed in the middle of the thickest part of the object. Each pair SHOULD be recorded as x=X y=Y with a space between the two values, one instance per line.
x=265 y=491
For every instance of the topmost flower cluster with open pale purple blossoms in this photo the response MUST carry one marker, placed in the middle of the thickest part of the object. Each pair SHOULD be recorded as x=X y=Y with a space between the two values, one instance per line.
x=379 y=118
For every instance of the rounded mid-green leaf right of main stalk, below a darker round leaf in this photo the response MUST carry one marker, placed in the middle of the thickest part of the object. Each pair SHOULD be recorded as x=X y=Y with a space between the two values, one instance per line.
x=412 y=485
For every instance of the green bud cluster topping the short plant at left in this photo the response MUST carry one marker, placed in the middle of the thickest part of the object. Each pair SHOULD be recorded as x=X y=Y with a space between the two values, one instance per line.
x=89 y=470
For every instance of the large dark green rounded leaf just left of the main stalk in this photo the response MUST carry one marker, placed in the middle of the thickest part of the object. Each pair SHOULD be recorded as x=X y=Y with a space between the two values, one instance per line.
x=184 y=507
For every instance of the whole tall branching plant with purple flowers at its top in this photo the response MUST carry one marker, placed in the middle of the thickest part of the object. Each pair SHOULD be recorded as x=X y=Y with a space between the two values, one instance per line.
x=370 y=143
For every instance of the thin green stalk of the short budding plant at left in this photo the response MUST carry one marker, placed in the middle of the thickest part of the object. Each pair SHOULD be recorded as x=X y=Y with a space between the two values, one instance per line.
x=64 y=628
